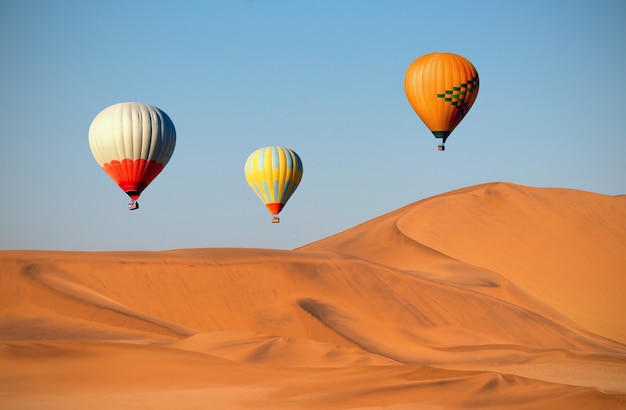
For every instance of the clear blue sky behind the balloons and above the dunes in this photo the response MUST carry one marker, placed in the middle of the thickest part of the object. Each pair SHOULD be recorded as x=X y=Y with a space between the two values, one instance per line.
x=324 y=78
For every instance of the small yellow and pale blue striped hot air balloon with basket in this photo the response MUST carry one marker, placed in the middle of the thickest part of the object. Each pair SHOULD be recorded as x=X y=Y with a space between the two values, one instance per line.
x=273 y=173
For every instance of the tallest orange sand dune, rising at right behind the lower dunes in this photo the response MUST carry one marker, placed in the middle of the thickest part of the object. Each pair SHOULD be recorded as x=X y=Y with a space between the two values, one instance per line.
x=567 y=248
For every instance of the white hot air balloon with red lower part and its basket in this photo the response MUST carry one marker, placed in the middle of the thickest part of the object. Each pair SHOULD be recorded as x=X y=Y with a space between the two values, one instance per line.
x=132 y=142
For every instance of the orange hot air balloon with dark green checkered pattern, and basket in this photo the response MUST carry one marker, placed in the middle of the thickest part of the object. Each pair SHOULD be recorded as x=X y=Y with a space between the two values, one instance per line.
x=441 y=88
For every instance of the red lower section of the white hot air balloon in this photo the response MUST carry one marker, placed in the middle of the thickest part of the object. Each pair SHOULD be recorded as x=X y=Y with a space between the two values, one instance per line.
x=133 y=176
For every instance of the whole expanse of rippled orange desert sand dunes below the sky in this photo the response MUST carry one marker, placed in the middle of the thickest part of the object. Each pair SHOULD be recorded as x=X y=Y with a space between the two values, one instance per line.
x=496 y=296
